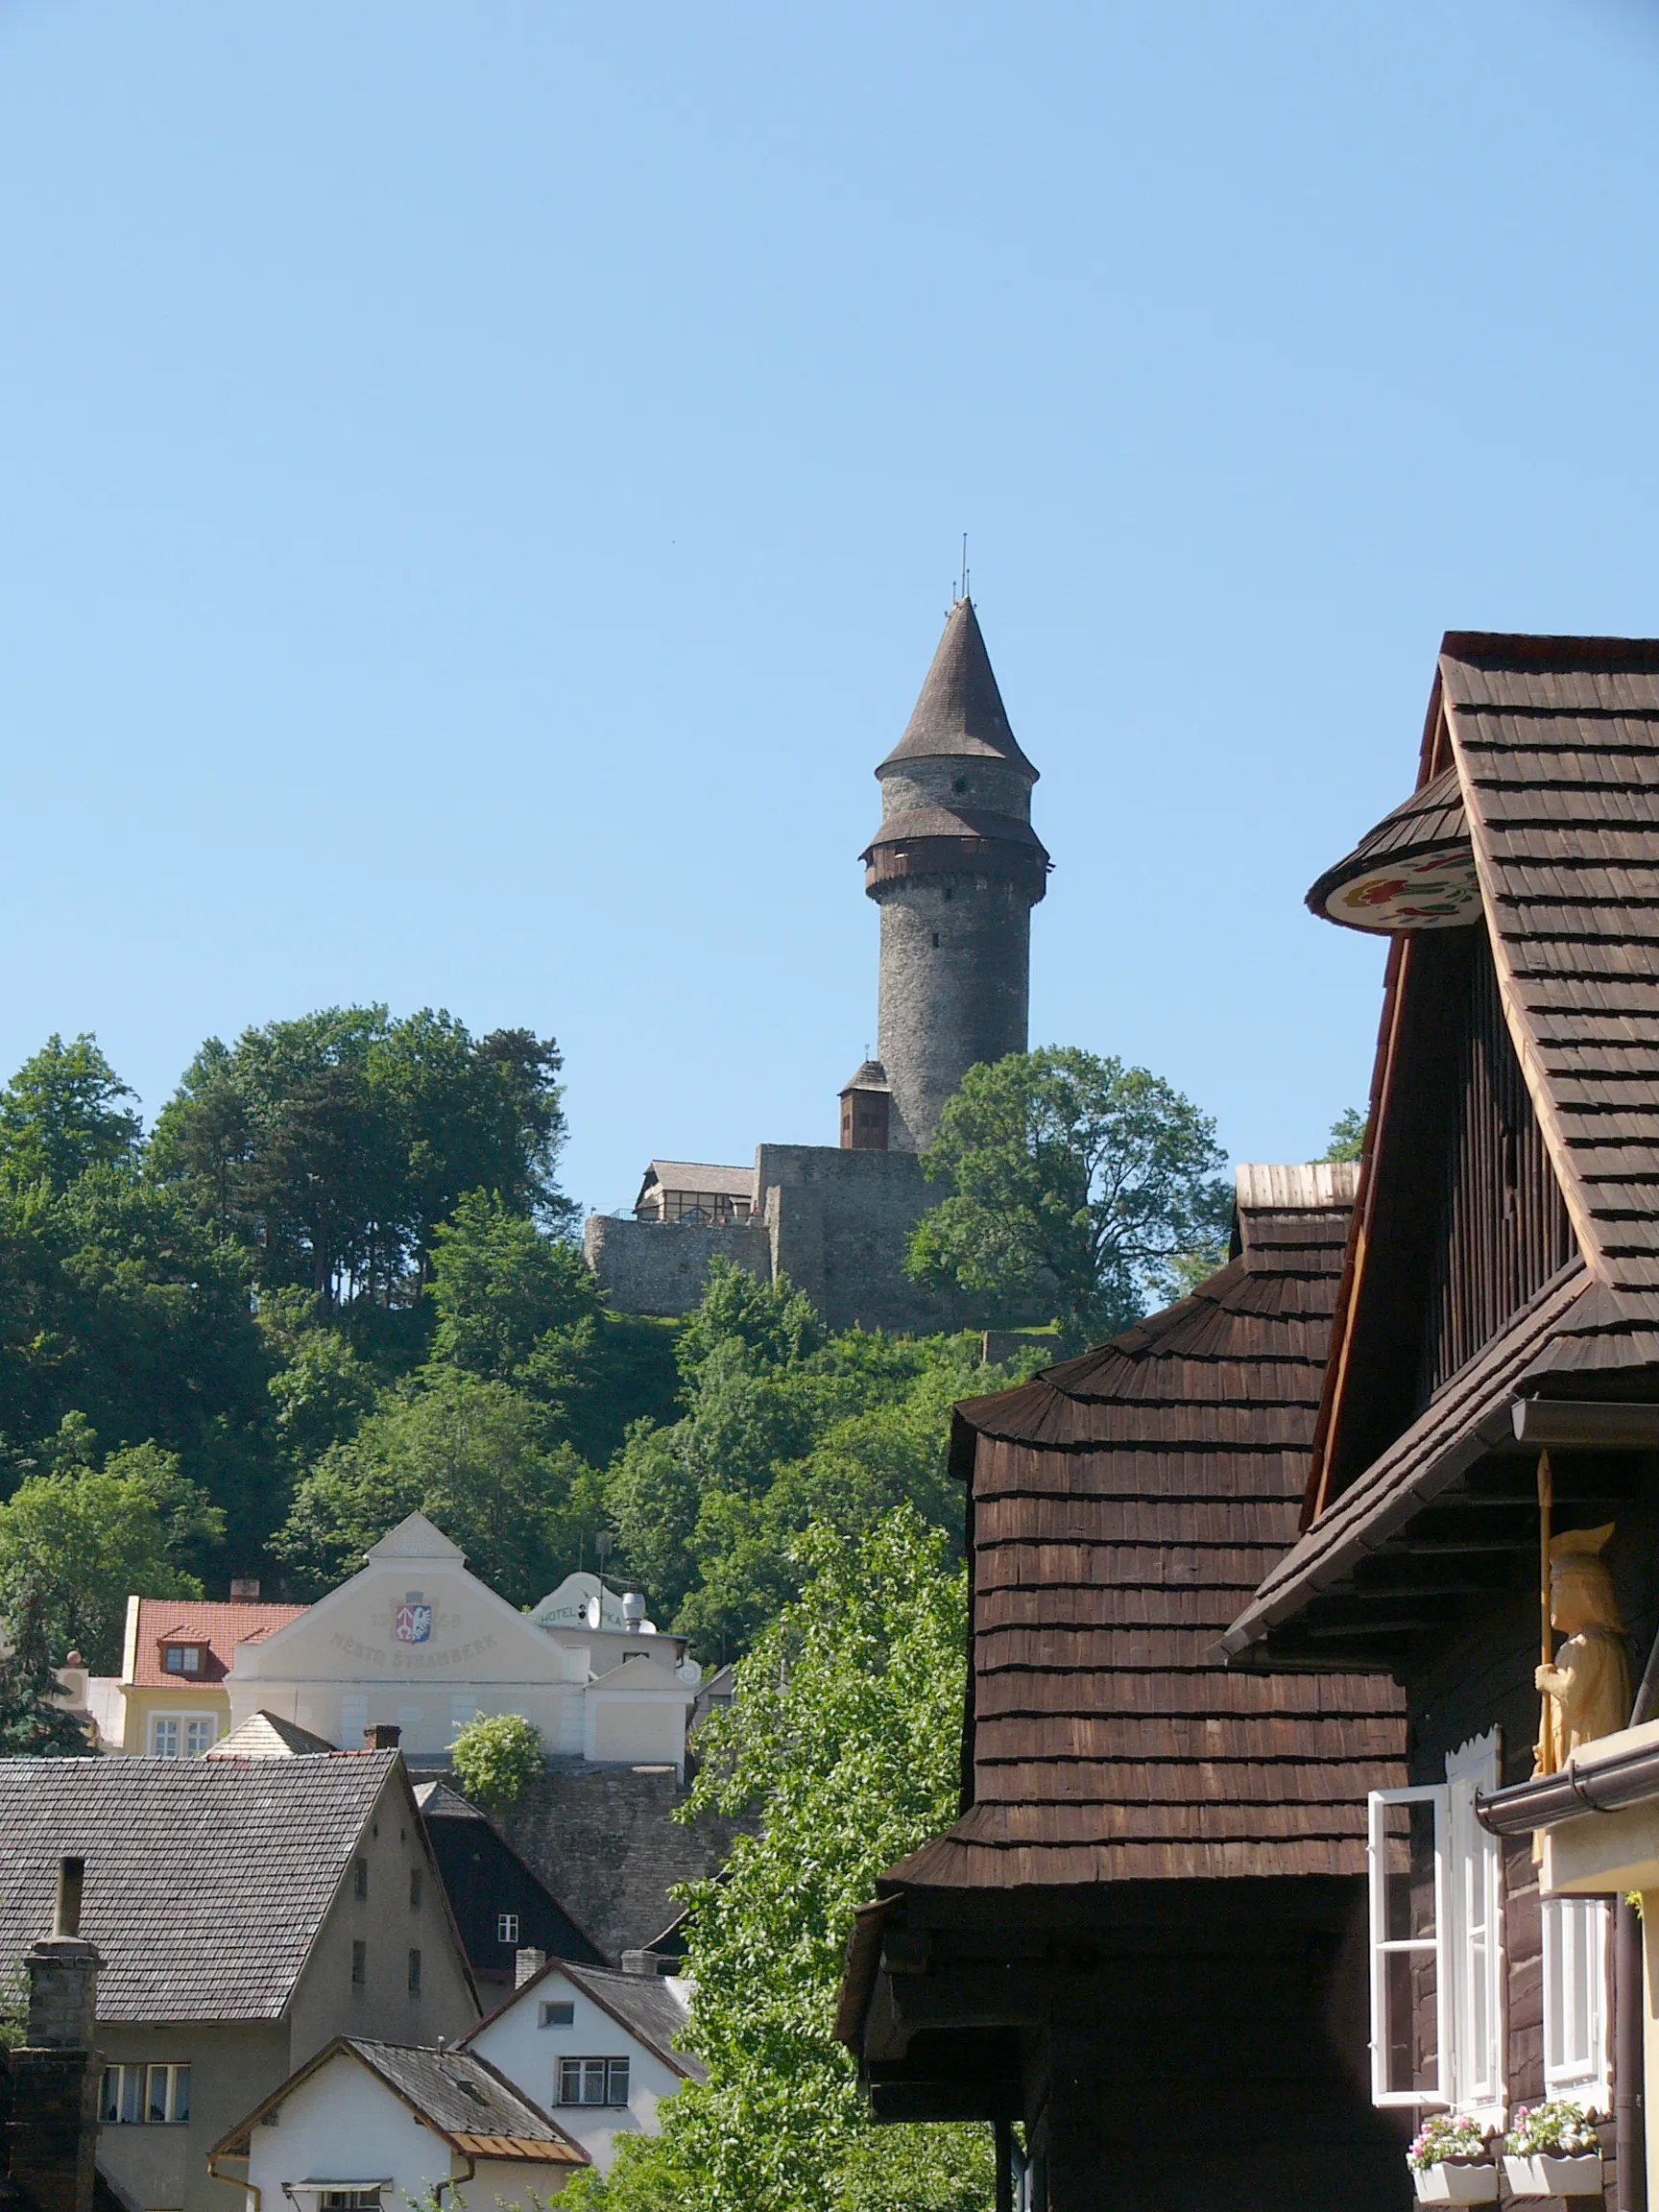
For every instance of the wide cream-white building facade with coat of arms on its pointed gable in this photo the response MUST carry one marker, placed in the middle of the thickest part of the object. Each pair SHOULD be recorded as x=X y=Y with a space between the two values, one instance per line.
x=419 y=1642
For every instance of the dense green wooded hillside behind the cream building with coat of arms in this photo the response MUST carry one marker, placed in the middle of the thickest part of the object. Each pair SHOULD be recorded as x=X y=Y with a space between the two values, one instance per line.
x=337 y=1284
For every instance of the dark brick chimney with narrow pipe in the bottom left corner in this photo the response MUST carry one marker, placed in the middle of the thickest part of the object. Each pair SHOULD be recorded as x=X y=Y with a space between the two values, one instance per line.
x=56 y=2074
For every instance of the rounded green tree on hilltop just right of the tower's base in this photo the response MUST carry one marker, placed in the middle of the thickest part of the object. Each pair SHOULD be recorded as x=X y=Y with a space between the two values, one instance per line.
x=1076 y=1182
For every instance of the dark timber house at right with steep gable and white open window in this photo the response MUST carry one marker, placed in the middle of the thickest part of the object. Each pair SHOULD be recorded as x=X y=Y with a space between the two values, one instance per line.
x=1494 y=1386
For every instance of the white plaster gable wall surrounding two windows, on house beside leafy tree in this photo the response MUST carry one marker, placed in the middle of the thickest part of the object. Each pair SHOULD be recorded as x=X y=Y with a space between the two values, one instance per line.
x=530 y=2054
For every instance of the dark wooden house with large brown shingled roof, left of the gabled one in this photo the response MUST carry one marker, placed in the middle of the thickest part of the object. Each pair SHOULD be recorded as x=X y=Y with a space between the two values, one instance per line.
x=1145 y=1939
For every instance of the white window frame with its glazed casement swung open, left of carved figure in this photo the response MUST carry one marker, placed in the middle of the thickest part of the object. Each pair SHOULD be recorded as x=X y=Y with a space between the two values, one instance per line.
x=1468 y=1941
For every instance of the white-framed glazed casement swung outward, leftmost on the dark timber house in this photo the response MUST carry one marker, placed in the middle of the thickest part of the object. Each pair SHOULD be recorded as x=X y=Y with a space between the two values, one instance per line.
x=1410 y=1981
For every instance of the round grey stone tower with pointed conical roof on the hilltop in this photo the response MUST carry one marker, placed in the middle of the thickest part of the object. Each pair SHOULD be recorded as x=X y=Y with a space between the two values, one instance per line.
x=957 y=870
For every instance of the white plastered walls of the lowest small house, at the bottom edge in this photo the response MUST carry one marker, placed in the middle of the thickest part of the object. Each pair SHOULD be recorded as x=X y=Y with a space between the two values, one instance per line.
x=351 y=2131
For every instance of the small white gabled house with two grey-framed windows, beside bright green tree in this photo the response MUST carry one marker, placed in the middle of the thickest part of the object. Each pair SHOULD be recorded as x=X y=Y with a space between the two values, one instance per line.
x=598 y=2049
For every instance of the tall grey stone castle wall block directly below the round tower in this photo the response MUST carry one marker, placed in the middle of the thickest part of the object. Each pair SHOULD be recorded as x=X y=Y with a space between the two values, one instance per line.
x=839 y=1227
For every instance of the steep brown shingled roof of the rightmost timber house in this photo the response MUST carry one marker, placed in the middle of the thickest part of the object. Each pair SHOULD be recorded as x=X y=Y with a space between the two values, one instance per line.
x=1556 y=751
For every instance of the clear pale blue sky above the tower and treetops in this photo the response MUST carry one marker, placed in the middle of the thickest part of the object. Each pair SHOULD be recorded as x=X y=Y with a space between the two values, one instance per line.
x=483 y=483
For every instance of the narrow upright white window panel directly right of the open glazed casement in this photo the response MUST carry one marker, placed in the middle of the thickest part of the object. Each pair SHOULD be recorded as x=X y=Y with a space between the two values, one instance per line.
x=1474 y=1937
